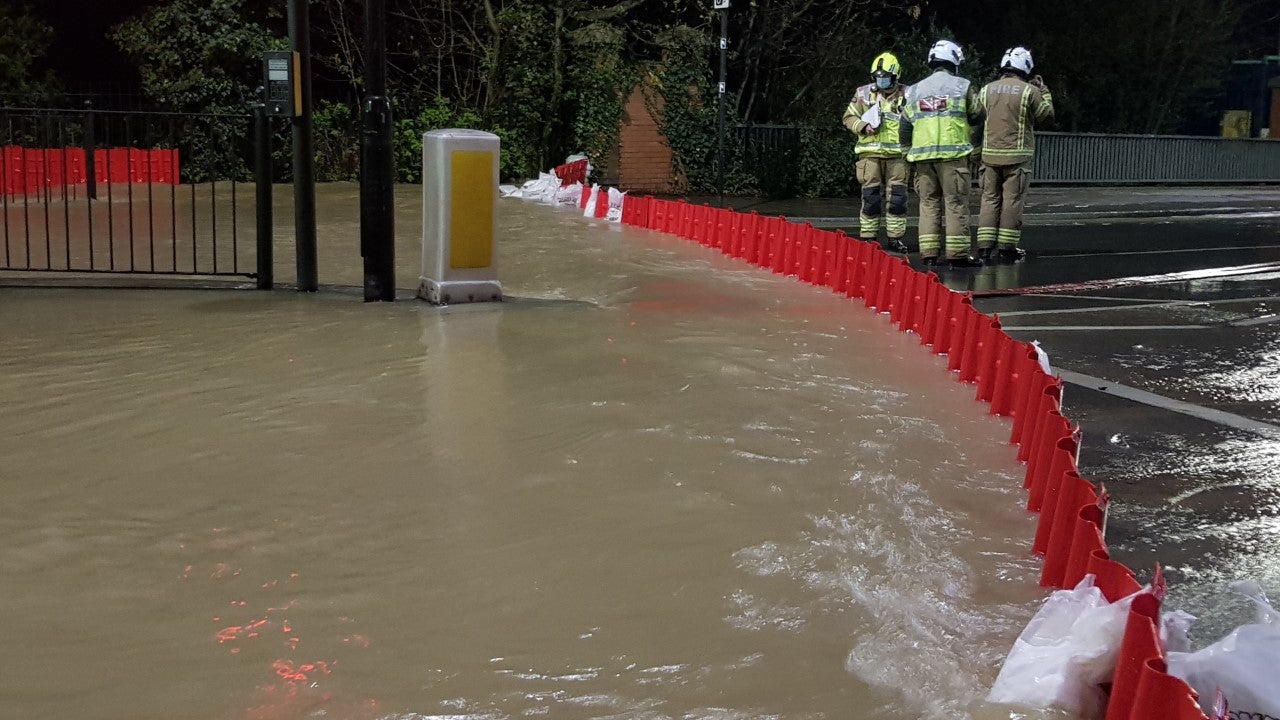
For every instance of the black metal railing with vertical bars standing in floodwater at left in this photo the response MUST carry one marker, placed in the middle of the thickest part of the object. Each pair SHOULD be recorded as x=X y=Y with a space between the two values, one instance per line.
x=106 y=192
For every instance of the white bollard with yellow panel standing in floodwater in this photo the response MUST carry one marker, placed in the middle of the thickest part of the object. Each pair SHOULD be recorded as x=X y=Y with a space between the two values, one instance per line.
x=460 y=194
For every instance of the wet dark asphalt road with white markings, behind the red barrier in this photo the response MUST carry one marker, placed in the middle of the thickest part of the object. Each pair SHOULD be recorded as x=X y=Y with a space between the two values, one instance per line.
x=1162 y=308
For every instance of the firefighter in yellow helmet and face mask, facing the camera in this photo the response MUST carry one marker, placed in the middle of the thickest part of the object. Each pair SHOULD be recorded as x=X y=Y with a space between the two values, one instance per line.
x=874 y=116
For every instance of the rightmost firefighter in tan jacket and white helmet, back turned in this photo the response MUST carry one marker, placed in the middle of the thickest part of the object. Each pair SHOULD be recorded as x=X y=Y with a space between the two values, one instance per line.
x=1013 y=106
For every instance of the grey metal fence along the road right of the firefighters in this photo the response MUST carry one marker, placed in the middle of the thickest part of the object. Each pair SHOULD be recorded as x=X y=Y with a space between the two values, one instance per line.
x=1137 y=160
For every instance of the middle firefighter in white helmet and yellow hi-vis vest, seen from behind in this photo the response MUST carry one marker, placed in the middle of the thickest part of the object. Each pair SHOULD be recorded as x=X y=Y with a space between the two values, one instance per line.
x=936 y=125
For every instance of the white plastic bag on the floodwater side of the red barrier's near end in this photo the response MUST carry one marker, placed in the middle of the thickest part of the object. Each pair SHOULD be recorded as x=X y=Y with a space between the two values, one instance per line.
x=1064 y=655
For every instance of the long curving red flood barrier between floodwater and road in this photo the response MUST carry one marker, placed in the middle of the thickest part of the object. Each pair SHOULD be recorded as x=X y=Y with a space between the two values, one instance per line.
x=1007 y=373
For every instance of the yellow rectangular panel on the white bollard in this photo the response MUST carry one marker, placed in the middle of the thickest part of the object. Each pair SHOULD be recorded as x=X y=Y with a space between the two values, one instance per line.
x=472 y=209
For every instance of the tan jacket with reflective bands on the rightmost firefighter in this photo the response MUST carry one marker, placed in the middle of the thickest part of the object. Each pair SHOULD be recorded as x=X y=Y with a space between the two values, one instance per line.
x=1013 y=108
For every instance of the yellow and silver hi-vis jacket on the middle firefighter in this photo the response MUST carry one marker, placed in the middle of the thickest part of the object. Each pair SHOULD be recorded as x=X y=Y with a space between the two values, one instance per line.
x=936 y=119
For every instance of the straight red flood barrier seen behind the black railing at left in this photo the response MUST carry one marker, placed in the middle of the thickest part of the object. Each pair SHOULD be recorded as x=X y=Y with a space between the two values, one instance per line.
x=33 y=171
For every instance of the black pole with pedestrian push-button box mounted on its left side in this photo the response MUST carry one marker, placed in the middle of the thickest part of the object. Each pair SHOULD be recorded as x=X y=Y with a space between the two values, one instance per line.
x=304 y=157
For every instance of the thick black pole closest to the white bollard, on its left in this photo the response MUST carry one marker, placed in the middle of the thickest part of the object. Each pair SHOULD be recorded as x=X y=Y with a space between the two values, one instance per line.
x=377 y=171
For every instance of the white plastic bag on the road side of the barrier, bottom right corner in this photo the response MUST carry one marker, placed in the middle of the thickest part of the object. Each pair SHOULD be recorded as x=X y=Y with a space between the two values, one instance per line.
x=1246 y=664
